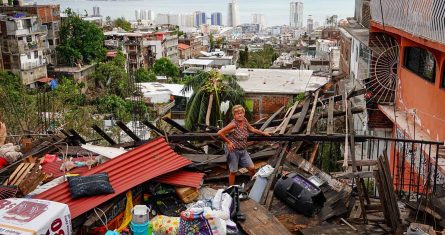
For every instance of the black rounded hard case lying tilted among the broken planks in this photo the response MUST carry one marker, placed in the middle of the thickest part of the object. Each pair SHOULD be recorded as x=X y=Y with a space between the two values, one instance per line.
x=300 y=194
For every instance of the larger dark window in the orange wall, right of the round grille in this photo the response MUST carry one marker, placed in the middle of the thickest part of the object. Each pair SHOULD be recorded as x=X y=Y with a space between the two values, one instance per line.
x=420 y=62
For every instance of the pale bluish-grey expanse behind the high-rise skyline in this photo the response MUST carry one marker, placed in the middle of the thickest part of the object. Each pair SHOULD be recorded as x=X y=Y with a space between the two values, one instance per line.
x=275 y=11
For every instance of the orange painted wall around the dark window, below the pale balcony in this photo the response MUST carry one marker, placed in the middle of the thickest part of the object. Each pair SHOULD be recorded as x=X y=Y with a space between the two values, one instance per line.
x=415 y=92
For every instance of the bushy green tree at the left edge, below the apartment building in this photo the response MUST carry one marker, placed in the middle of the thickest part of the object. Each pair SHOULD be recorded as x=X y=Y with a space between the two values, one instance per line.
x=18 y=107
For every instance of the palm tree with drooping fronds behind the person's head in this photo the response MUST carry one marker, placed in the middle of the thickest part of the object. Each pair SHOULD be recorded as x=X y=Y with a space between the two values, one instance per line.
x=210 y=89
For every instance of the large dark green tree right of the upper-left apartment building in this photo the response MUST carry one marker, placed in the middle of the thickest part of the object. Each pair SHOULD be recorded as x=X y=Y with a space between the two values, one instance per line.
x=80 y=41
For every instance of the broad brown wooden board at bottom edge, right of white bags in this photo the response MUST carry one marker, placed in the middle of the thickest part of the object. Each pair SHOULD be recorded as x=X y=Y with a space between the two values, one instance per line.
x=260 y=221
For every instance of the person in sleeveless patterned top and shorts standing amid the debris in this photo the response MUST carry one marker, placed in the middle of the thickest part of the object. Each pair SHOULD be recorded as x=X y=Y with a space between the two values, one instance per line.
x=235 y=135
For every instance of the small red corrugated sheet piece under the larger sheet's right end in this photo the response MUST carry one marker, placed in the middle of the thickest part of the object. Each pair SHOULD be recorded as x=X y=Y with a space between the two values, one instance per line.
x=182 y=178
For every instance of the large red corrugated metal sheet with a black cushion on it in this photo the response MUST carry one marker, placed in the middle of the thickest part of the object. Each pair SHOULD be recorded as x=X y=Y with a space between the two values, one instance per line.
x=130 y=169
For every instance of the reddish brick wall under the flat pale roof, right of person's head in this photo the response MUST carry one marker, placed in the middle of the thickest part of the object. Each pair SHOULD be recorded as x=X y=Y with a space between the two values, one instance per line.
x=266 y=105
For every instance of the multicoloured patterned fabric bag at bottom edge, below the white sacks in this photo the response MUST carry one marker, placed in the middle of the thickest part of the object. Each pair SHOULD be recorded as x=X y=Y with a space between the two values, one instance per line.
x=193 y=222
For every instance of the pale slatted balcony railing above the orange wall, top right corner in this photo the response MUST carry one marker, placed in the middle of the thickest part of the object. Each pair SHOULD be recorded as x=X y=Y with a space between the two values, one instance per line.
x=422 y=18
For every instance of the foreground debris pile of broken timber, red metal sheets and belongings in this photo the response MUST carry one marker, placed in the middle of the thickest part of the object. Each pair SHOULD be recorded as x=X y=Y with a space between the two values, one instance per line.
x=180 y=179
